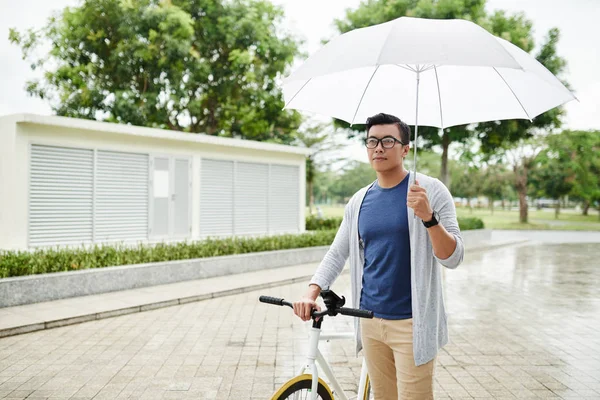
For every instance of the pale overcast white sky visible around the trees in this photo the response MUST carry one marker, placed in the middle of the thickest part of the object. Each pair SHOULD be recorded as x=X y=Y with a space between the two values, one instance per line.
x=312 y=20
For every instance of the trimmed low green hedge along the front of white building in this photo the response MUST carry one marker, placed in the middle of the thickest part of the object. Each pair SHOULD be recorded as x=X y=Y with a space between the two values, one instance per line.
x=55 y=260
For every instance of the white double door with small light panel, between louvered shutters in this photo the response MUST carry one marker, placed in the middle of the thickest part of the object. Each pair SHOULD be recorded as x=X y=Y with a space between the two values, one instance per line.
x=170 y=198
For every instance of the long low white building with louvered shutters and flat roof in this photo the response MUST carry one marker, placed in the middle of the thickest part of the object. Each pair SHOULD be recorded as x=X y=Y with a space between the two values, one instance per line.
x=67 y=181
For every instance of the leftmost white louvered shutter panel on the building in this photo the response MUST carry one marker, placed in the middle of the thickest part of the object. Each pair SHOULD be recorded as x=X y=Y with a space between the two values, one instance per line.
x=60 y=196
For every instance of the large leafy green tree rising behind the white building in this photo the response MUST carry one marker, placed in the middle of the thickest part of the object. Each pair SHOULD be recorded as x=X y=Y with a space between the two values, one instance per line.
x=199 y=66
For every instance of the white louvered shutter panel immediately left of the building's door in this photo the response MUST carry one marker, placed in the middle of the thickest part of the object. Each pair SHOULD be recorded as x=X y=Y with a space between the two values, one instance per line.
x=121 y=196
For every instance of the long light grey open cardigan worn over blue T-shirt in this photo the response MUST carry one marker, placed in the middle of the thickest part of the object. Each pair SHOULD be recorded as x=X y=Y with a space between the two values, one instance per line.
x=430 y=328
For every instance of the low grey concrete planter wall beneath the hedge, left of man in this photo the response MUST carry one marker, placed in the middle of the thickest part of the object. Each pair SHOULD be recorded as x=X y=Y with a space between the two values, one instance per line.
x=62 y=285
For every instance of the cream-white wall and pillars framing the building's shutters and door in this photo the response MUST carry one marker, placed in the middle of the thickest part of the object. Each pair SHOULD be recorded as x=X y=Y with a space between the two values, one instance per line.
x=14 y=172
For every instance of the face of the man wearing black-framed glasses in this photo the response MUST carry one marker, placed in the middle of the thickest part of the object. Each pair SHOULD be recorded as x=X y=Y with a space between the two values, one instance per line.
x=384 y=159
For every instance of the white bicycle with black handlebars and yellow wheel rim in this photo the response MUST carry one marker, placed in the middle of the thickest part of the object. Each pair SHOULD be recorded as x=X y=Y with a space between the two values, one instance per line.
x=305 y=384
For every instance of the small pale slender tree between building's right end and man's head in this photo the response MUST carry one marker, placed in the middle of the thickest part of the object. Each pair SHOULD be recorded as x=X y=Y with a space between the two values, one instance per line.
x=321 y=140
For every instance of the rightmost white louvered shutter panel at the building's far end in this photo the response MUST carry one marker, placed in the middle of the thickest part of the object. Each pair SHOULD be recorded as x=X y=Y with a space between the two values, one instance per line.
x=284 y=199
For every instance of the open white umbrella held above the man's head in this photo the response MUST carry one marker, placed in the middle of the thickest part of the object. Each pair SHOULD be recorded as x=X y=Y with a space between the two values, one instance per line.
x=450 y=72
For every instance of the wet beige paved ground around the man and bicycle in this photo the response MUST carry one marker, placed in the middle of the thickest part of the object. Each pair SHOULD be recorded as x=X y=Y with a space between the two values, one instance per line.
x=524 y=323
